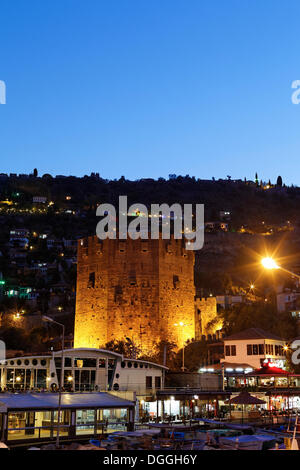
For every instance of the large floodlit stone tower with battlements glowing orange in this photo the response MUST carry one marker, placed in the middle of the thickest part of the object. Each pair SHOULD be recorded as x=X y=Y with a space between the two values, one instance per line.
x=134 y=288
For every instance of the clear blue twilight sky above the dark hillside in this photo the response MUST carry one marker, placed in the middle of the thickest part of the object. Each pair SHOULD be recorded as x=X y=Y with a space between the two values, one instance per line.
x=144 y=88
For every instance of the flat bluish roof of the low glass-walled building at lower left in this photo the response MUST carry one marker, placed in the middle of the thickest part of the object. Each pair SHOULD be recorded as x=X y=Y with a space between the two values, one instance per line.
x=69 y=400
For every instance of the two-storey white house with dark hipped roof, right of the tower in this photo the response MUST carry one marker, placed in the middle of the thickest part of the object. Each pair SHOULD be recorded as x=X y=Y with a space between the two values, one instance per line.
x=254 y=347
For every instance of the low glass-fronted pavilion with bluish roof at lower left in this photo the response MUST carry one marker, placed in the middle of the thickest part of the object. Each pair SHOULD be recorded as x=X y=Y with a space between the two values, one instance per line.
x=31 y=417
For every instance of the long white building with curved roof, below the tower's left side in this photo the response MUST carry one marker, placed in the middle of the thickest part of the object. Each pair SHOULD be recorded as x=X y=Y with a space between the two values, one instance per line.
x=84 y=369
